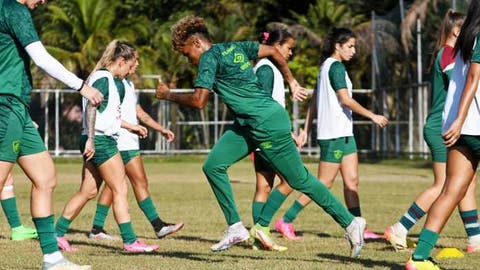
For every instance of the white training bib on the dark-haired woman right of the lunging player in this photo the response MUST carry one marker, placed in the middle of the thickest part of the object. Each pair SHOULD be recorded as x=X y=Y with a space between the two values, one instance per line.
x=333 y=119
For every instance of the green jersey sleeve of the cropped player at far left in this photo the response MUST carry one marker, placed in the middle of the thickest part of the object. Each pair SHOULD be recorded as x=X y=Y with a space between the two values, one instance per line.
x=20 y=24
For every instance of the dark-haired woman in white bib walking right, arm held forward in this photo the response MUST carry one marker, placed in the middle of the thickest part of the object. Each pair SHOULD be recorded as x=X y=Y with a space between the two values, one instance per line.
x=334 y=104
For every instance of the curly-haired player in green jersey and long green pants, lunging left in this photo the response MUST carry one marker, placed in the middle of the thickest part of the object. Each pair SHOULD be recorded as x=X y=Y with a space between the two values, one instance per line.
x=260 y=122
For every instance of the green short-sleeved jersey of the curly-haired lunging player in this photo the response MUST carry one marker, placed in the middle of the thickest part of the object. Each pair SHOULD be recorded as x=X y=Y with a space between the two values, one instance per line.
x=226 y=69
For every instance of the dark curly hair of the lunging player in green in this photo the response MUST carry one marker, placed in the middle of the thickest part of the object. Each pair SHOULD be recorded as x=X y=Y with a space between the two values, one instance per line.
x=187 y=27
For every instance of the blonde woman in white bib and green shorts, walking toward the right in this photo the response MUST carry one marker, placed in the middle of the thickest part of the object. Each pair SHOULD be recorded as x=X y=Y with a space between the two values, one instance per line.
x=103 y=162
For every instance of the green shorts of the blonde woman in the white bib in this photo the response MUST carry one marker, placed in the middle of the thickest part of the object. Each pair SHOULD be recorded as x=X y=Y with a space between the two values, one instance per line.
x=105 y=148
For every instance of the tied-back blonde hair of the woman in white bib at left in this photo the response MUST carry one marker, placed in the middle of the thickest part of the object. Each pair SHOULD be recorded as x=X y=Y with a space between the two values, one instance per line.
x=114 y=50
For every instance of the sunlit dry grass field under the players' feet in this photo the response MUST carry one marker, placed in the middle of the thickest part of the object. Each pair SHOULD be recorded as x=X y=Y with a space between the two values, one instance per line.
x=181 y=193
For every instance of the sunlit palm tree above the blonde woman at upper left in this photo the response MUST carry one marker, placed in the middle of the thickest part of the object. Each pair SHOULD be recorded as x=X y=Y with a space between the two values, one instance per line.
x=80 y=29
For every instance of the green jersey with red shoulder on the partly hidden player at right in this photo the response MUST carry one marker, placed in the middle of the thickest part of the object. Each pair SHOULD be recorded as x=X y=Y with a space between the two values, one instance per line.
x=442 y=71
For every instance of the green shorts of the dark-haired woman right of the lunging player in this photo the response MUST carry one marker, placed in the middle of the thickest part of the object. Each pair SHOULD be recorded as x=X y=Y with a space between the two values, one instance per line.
x=333 y=150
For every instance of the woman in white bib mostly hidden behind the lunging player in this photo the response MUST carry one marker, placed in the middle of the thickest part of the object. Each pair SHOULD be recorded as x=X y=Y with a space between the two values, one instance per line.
x=272 y=82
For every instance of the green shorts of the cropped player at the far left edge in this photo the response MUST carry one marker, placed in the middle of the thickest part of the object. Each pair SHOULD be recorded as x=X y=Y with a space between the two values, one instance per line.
x=18 y=135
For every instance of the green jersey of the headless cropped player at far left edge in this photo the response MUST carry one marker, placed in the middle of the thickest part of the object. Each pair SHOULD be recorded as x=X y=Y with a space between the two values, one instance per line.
x=16 y=32
